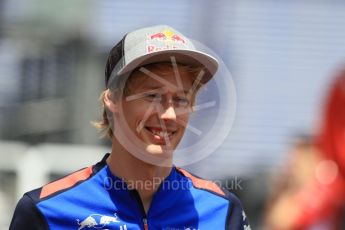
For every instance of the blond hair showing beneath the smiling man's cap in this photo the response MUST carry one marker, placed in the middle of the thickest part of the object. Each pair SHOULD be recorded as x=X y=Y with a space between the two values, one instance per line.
x=122 y=85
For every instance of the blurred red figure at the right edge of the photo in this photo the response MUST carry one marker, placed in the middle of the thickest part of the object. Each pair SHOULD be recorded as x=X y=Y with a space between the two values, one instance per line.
x=322 y=204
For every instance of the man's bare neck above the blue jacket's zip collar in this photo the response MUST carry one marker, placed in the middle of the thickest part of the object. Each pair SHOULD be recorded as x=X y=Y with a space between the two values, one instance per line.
x=139 y=175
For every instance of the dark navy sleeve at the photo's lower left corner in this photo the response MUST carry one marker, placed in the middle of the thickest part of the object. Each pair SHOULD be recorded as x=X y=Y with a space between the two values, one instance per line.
x=27 y=216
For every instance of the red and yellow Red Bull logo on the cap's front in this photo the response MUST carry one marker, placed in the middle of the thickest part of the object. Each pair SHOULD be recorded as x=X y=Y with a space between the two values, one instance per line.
x=164 y=40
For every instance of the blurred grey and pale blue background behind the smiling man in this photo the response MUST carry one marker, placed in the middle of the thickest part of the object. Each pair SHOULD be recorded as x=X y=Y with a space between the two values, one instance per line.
x=283 y=56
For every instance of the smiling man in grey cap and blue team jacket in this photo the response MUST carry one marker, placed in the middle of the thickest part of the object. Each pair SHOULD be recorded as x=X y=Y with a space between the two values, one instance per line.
x=152 y=76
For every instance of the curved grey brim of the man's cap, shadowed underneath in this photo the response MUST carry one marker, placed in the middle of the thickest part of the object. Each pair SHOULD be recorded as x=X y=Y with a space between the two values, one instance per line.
x=187 y=57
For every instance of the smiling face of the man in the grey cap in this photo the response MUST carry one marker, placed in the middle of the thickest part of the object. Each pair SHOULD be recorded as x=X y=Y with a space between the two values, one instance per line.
x=157 y=108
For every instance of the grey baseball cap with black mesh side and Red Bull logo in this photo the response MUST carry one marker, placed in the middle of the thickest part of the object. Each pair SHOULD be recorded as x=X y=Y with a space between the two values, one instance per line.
x=155 y=44
